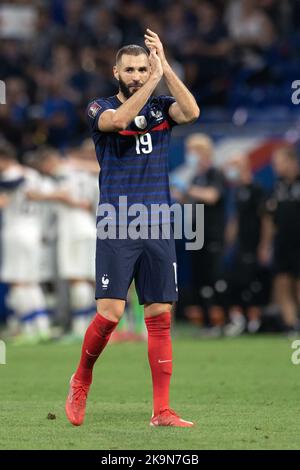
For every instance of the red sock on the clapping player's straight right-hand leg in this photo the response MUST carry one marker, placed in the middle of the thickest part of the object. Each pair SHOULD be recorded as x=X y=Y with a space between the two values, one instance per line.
x=160 y=358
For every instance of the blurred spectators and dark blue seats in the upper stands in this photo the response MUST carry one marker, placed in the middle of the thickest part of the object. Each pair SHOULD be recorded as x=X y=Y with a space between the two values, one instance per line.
x=56 y=55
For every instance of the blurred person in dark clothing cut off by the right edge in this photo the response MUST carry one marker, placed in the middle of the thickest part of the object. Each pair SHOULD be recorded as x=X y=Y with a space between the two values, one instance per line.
x=281 y=233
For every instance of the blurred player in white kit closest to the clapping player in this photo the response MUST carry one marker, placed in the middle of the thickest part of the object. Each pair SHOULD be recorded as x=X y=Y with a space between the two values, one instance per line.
x=76 y=195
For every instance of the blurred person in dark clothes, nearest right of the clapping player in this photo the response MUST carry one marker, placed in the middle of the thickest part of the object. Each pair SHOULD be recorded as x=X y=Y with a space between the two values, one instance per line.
x=202 y=183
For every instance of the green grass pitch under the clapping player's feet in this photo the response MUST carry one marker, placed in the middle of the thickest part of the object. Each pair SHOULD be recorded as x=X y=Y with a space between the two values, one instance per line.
x=243 y=394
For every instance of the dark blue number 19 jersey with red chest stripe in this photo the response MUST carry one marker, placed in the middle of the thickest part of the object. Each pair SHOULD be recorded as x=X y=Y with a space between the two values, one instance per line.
x=134 y=161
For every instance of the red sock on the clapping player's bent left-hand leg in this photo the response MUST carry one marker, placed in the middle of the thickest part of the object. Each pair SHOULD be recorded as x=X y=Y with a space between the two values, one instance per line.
x=95 y=340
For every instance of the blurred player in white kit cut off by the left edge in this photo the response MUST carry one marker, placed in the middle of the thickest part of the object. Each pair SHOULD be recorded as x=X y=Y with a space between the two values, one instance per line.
x=21 y=243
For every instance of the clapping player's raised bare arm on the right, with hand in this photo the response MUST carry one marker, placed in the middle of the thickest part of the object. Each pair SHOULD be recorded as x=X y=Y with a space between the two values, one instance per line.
x=185 y=110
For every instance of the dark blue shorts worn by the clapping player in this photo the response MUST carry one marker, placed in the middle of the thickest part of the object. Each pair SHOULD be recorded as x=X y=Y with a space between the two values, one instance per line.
x=151 y=263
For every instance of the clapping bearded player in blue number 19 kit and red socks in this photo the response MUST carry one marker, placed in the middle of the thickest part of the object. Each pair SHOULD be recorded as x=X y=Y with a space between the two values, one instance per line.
x=131 y=132
